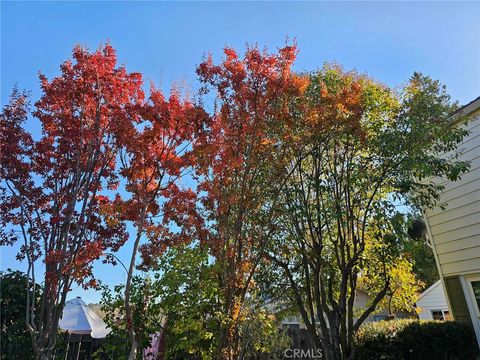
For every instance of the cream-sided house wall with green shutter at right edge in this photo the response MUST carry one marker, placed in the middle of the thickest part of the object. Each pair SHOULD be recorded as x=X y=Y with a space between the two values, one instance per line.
x=455 y=232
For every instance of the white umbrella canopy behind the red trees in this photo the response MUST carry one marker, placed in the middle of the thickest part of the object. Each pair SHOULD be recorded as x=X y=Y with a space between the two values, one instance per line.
x=78 y=318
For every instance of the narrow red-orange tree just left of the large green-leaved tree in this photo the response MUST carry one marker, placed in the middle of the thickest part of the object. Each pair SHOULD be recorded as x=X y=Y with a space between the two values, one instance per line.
x=238 y=168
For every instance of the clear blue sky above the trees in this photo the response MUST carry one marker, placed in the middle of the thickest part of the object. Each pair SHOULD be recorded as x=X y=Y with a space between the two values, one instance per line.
x=165 y=41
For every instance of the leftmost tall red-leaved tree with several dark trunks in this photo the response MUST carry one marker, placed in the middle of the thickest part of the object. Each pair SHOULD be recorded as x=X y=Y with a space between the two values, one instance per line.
x=51 y=189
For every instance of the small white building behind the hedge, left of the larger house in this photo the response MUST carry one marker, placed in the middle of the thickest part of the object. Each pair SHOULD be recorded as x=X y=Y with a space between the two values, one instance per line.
x=432 y=303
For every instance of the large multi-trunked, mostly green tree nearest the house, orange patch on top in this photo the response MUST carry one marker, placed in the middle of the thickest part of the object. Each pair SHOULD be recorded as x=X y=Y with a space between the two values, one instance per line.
x=366 y=151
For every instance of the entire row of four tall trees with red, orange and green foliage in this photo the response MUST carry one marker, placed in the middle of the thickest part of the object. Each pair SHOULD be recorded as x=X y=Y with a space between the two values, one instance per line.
x=290 y=171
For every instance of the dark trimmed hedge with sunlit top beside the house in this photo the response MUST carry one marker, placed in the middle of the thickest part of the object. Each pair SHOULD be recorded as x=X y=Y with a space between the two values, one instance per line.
x=413 y=339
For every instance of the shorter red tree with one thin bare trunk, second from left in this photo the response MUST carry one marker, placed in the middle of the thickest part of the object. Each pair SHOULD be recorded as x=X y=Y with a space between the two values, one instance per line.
x=156 y=154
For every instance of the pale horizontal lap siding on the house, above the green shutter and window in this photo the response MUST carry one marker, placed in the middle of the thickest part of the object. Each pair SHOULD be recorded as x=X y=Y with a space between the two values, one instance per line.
x=456 y=230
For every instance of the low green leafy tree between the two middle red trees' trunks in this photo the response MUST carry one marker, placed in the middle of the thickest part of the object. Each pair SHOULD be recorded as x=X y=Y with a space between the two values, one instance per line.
x=188 y=291
